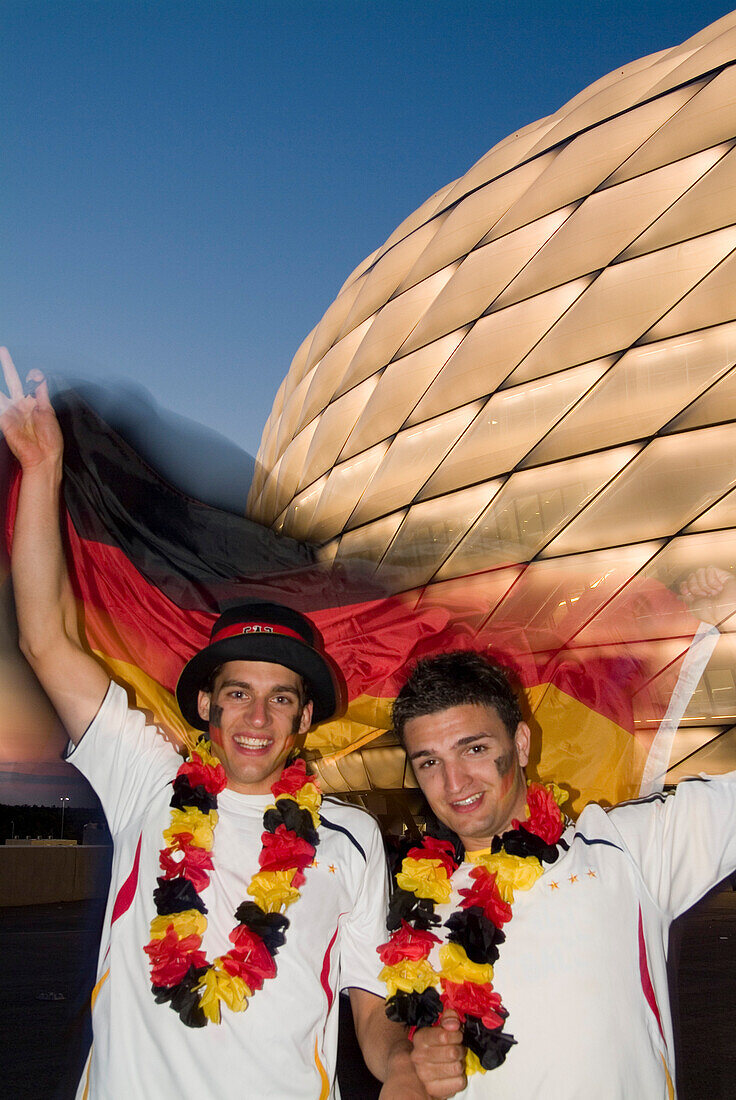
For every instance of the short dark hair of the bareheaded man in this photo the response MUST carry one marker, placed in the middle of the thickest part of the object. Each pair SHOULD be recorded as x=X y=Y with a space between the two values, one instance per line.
x=446 y=680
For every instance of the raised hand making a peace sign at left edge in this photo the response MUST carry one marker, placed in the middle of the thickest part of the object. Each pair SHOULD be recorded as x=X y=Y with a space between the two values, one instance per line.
x=28 y=421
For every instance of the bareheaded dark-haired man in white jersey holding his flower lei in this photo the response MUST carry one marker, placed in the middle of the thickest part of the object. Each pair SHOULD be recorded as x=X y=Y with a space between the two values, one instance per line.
x=531 y=954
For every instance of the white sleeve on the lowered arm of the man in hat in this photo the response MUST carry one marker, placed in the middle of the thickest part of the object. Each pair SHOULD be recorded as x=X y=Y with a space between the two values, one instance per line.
x=366 y=928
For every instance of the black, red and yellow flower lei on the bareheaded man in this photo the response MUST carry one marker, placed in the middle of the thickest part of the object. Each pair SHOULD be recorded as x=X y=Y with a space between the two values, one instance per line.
x=418 y=994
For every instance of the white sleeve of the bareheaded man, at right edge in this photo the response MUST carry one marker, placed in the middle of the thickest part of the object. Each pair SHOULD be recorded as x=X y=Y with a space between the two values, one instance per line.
x=684 y=843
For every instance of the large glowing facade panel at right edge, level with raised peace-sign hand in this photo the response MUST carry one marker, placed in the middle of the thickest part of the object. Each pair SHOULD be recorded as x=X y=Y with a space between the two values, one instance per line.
x=641 y=393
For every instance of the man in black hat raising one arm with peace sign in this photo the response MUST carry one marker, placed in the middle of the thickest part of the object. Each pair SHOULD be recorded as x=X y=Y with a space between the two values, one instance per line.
x=233 y=887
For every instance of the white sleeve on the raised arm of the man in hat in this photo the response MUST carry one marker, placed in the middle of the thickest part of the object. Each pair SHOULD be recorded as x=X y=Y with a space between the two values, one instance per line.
x=125 y=761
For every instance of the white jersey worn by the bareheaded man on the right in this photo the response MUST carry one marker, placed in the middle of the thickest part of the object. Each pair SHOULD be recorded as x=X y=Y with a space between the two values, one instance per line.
x=584 y=970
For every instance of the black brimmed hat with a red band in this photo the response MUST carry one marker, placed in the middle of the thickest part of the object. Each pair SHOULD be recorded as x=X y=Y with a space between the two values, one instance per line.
x=260 y=632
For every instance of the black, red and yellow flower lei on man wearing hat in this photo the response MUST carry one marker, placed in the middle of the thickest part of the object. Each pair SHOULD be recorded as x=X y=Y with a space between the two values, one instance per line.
x=181 y=973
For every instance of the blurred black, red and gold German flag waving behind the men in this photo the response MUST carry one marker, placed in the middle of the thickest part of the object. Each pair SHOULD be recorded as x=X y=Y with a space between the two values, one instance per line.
x=152 y=568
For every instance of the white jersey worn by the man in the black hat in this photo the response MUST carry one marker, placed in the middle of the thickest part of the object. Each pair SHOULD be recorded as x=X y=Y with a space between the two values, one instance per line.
x=284 y=1046
